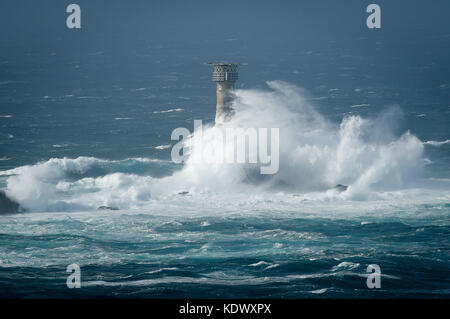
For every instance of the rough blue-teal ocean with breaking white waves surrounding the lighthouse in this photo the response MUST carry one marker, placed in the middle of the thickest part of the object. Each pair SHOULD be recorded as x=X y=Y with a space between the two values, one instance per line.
x=85 y=150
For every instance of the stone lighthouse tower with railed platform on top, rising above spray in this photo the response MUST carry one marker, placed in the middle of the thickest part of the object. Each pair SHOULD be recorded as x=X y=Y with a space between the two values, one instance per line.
x=225 y=75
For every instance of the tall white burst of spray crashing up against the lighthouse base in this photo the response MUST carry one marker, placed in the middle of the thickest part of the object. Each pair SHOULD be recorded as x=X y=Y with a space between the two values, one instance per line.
x=315 y=155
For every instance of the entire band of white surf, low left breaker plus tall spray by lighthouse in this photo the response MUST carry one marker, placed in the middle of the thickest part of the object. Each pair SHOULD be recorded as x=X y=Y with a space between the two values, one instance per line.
x=315 y=155
